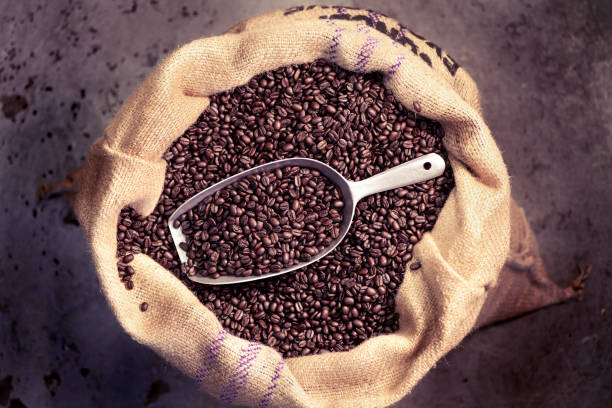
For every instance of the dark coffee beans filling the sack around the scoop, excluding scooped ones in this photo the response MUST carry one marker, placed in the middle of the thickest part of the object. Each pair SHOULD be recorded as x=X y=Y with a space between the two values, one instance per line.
x=346 y=119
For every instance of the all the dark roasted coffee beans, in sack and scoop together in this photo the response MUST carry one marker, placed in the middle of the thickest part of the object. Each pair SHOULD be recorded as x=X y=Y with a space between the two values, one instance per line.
x=315 y=110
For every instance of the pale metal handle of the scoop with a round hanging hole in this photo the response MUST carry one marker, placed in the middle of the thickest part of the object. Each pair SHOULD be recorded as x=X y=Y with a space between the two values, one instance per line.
x=414 y=171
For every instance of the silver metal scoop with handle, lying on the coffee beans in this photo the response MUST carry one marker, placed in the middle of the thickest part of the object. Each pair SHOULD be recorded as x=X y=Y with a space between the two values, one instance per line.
x=415 y=171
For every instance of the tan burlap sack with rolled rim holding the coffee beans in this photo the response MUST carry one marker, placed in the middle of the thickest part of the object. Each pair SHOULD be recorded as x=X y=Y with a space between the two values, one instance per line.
x=438 y=304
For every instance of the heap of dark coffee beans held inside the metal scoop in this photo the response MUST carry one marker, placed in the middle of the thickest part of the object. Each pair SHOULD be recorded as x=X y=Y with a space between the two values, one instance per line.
x=263 y=223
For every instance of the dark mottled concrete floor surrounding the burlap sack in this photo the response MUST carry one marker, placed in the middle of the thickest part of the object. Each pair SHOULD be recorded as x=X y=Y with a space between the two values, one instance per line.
x=544 y=69
